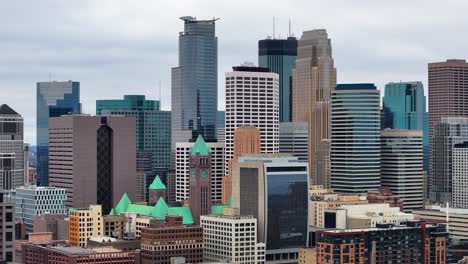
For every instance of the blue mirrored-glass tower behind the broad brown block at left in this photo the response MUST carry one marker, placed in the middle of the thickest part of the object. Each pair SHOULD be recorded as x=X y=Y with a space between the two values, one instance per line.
x=53 y=99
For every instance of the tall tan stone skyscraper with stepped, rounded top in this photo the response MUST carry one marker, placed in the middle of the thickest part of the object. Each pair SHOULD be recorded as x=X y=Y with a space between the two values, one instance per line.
x=314 y=78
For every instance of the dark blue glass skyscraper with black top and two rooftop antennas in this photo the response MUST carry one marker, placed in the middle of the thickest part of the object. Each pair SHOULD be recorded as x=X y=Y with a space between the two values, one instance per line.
x=279 y=55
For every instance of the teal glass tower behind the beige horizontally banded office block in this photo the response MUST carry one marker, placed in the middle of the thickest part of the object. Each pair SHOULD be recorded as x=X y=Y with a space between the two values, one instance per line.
x=404 y=107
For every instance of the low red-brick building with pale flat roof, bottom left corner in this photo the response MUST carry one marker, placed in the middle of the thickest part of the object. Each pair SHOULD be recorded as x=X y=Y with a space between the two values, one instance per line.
x=57 y=252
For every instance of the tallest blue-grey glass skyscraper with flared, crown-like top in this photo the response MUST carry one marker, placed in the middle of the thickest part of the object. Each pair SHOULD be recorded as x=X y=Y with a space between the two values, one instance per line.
x=195 y=82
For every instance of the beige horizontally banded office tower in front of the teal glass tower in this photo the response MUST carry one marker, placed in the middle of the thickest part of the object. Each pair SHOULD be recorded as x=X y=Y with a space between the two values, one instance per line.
x=402 y=166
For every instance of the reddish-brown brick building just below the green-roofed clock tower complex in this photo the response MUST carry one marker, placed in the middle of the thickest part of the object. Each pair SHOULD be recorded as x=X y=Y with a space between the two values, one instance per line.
x=162 y=241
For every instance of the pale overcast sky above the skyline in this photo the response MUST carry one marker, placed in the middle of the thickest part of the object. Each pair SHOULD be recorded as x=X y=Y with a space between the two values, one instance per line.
x=118 y=47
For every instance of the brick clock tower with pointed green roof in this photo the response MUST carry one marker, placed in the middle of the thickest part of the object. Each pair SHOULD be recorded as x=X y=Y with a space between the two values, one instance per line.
x=200 y=179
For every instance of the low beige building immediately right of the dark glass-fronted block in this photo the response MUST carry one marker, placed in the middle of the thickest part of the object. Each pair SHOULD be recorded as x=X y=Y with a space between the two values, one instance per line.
x=324 y=199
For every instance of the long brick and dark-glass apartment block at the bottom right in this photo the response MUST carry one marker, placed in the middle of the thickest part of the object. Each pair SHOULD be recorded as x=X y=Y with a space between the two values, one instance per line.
x=418 y=242
